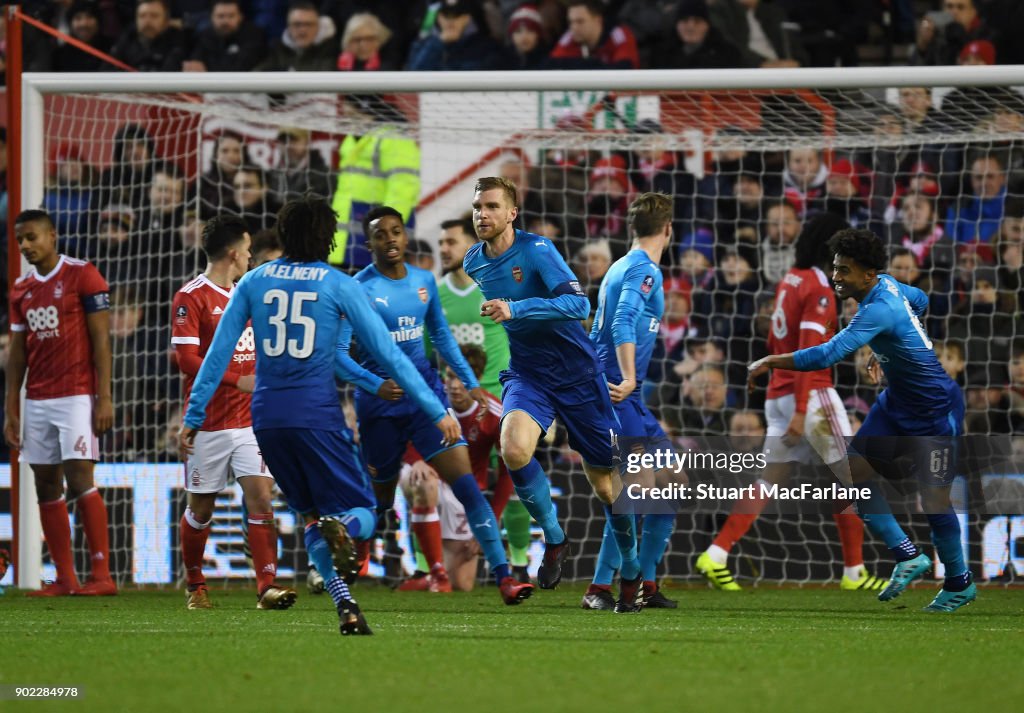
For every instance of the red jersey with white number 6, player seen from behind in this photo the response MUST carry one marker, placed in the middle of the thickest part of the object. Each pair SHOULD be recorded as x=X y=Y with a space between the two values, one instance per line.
x=804 y=317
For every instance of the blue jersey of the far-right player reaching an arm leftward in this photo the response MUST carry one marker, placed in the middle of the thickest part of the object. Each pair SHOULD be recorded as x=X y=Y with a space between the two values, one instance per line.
x=919 y=392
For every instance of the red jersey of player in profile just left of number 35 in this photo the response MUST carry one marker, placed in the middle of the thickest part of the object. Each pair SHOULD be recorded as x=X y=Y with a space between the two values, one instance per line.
x=196 y=314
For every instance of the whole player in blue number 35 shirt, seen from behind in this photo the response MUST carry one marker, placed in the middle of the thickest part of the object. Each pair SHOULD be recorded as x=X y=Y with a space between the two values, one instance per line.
x=296 y=305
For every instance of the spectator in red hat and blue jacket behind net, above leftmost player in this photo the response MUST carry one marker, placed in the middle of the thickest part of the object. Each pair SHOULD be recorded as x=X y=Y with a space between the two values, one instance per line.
x=67 y=199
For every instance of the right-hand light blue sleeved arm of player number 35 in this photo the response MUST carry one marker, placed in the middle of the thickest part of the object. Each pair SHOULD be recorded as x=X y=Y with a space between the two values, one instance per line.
x=374 y=337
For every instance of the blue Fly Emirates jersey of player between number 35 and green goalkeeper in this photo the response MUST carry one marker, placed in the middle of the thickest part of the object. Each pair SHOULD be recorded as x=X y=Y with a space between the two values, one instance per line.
x=407 y=306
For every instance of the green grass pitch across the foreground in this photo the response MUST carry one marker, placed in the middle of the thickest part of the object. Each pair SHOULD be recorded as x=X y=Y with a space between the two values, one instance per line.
x=761 y=650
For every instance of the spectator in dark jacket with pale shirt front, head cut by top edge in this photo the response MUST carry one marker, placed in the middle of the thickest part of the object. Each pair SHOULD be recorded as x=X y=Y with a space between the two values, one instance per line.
x=758 y=30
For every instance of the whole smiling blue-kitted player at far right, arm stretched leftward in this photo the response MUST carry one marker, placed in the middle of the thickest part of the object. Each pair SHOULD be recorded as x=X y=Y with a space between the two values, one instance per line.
x=918 y=415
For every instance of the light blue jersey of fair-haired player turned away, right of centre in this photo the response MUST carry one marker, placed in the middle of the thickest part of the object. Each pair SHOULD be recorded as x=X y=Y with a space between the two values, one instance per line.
x=630 y=306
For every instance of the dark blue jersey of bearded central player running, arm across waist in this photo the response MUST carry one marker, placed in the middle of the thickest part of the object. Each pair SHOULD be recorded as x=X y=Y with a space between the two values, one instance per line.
x=547 y=344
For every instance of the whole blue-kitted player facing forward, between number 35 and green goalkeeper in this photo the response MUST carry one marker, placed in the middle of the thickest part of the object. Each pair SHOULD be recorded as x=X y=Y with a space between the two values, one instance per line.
x=407 y=300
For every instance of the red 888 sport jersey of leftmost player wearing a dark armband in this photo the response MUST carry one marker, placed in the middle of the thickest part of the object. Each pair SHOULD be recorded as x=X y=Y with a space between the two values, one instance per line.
x=52 y=311
